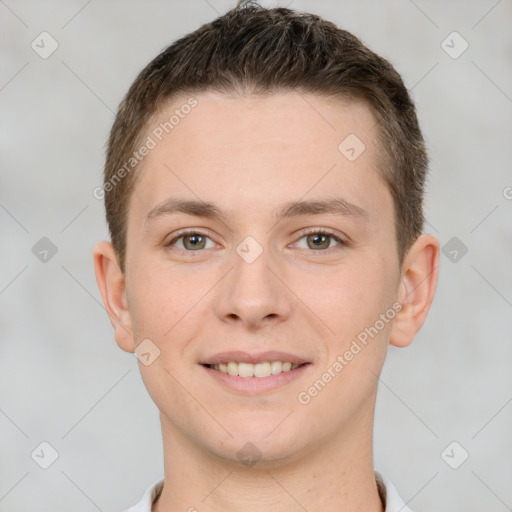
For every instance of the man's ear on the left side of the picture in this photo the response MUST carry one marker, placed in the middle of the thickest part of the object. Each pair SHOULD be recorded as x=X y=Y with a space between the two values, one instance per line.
x=111 y=283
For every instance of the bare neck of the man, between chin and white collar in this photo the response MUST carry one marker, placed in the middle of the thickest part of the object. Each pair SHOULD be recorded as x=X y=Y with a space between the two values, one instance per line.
x=335 y=475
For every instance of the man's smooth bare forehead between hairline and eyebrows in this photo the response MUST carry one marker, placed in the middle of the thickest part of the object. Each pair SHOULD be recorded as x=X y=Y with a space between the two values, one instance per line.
x=256 y=149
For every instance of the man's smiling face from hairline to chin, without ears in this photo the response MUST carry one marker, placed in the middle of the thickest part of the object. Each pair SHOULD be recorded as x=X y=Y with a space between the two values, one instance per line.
x=252 y=238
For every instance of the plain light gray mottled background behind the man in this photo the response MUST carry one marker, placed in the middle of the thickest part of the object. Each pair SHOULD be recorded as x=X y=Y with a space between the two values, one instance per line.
x=63 y=379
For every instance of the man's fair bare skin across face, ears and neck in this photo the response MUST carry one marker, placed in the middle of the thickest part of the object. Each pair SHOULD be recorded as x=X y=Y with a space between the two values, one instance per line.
x=250 y=155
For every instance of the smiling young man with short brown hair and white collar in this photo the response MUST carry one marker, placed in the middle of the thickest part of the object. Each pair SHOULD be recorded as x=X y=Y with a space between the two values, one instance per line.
x=263 y=191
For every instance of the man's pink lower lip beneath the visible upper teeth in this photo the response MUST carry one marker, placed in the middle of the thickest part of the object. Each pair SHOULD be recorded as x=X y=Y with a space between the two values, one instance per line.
x=255 y=385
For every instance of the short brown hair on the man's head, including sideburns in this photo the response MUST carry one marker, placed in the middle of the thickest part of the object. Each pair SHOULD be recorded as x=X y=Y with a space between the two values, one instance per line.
x=255 y=50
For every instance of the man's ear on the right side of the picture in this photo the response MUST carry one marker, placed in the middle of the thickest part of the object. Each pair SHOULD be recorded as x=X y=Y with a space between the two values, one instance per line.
x=417 y=288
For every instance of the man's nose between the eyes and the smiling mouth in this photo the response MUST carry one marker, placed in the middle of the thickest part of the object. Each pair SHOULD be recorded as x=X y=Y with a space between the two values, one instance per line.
x=253 y=293
